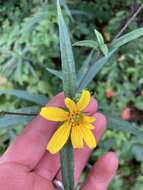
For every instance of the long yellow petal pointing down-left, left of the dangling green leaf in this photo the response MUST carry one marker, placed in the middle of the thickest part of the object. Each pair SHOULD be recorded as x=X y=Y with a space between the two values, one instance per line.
x=59 y=138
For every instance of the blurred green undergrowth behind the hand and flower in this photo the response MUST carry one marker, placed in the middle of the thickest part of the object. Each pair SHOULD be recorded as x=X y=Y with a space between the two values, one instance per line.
x=29 y=46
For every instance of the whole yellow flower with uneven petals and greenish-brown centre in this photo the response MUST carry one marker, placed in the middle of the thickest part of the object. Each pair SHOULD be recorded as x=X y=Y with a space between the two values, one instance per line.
x=75 y=124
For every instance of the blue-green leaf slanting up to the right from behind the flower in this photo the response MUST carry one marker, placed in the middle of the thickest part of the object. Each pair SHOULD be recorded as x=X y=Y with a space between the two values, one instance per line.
x=94 y=69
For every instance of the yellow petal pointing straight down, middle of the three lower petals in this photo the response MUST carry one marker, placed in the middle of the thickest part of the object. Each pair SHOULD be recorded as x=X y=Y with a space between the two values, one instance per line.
x=76 y=137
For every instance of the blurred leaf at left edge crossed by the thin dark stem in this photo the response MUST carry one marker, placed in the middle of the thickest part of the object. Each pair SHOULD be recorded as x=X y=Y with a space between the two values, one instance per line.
x=12 y=120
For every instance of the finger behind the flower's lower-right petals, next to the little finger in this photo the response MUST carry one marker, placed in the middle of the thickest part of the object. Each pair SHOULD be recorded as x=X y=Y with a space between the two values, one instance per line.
x=82 y=155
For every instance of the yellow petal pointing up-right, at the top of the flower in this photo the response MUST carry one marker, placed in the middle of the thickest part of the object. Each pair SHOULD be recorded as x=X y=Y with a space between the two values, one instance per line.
x=84 y=100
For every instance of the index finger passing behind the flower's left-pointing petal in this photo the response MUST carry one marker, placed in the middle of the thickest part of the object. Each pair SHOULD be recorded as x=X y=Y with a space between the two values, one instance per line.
x=30 y=146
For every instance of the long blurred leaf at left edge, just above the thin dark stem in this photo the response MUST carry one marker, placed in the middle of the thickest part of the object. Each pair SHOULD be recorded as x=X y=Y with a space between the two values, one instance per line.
x=36 y=98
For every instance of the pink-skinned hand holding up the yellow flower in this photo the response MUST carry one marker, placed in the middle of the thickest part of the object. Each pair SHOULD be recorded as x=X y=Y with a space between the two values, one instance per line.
x=27 y=165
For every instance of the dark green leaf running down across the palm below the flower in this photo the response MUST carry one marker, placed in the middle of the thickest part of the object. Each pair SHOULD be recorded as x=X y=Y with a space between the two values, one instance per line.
x=67 y=166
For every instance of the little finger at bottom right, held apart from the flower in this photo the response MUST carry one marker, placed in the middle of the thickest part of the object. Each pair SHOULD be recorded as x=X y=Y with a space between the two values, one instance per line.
x=102 y=172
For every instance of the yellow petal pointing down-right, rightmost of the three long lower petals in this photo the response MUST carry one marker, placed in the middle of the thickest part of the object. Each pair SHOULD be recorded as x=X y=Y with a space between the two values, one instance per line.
x=88 y=137
